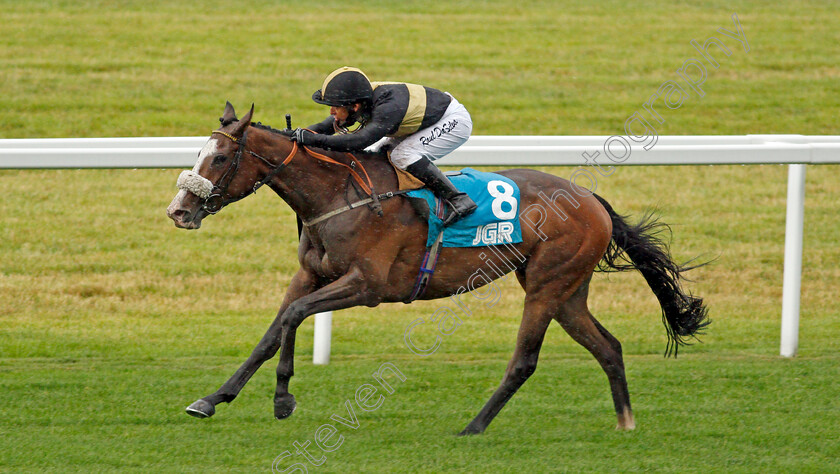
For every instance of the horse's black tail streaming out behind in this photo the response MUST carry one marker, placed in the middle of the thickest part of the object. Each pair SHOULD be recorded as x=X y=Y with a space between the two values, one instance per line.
x=639 y=247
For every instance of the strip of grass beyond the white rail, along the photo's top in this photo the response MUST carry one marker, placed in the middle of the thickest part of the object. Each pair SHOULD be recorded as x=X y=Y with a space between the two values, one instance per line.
x=161 y=68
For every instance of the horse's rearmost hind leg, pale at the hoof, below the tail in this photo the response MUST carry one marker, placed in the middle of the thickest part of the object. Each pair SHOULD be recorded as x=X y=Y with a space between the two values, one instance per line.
x=576 y=319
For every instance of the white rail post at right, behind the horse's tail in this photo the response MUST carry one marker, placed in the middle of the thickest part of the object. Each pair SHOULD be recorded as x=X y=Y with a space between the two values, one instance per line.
x=793 y=260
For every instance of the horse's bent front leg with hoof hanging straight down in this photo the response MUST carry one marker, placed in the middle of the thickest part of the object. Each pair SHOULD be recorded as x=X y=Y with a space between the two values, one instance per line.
x=346 y=292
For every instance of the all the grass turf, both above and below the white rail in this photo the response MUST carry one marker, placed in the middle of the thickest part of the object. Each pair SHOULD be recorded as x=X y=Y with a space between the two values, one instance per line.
x=112 y=320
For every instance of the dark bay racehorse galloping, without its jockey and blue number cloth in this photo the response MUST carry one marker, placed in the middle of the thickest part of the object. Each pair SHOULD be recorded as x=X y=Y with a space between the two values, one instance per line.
x=352 y=257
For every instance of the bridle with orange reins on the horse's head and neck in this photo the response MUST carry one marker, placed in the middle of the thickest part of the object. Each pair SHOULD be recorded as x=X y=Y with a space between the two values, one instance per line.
x=215 y=201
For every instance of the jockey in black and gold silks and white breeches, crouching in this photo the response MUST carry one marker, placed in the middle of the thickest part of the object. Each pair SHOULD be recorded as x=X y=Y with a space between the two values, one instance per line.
x=418 y=124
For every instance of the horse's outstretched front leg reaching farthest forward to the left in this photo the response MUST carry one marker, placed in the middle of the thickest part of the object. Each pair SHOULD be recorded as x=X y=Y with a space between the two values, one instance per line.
x=302 y=283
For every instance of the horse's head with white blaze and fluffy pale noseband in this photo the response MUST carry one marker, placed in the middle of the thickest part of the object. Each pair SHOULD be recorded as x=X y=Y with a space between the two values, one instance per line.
x=218 y=177
